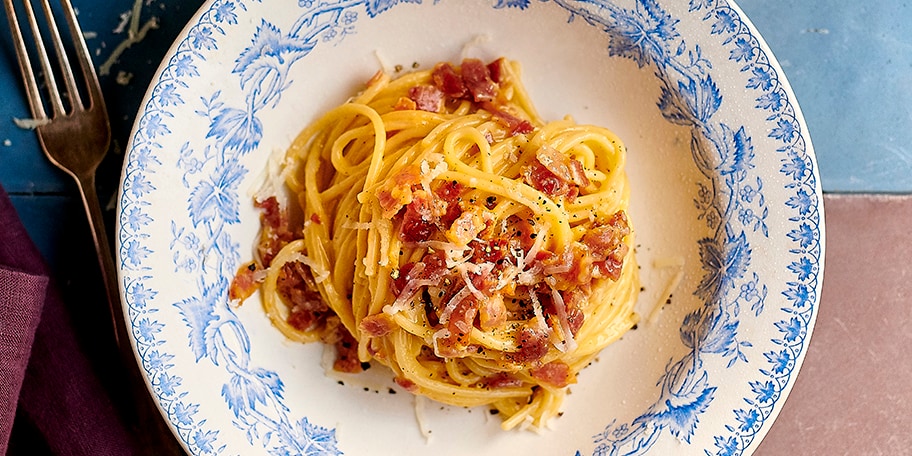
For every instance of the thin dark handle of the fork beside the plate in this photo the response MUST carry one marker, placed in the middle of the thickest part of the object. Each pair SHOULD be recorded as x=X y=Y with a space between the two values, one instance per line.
x=105 y=257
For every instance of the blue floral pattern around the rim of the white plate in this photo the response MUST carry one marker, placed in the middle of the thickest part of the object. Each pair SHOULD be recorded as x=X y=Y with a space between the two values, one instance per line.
x=733 y=203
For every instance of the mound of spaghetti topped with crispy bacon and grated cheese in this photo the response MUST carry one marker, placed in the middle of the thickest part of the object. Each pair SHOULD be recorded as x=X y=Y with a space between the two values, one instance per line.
x=447 y=232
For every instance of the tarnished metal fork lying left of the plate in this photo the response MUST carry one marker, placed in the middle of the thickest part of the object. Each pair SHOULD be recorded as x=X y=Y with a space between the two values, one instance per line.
x=75 y=135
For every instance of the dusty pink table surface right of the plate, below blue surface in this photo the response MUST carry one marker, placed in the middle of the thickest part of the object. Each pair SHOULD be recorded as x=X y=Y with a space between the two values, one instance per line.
x=853 y=394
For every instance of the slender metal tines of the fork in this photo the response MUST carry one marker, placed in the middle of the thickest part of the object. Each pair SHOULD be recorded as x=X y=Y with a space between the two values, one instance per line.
x=49 y=88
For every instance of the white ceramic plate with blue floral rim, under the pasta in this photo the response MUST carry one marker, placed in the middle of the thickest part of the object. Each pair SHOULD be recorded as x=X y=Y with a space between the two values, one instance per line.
x=725 y=194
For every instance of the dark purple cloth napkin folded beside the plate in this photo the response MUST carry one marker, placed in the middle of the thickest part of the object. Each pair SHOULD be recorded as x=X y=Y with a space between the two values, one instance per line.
x=43 y=372
